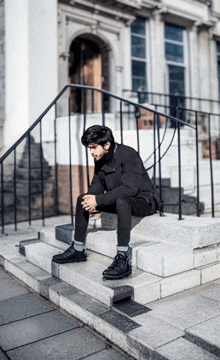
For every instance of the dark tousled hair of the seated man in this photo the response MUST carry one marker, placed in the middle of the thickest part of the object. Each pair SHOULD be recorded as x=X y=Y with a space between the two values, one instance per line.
x=97 y=134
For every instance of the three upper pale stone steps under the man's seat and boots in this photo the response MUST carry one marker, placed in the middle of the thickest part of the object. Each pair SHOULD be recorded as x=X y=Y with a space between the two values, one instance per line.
x=172 y=257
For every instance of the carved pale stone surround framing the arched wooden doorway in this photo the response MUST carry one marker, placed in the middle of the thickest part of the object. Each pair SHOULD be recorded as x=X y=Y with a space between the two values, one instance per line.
x=74 y=22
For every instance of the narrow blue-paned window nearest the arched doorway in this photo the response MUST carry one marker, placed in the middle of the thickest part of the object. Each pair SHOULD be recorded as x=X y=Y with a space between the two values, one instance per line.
x=138 y=54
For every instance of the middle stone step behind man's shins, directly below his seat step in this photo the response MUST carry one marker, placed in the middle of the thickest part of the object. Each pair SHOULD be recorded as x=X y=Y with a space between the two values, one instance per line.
x=150 y=256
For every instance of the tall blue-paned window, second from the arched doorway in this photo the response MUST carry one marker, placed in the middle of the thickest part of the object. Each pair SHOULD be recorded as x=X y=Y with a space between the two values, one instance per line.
x=174 y=55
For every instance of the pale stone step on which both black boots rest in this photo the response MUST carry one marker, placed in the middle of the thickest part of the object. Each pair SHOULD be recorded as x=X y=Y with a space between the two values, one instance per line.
x=87 y=276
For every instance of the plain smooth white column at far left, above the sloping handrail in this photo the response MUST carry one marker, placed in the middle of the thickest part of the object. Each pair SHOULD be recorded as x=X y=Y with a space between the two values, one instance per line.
x=31 y=63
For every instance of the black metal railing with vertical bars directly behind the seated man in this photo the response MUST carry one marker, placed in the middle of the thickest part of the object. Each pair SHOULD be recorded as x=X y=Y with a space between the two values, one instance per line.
x=84 y=92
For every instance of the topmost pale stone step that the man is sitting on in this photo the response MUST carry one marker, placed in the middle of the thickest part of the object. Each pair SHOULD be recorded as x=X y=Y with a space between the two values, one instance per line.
x=191 y=232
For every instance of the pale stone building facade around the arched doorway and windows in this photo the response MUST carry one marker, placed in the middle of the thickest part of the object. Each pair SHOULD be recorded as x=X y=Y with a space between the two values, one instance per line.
x=38 y=40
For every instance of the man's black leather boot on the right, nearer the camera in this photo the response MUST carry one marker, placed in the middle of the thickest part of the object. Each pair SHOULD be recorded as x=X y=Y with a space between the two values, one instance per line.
x=119 y=269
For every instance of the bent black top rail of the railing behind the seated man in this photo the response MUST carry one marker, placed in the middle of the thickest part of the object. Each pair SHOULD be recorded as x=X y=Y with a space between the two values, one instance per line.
x=86 y=88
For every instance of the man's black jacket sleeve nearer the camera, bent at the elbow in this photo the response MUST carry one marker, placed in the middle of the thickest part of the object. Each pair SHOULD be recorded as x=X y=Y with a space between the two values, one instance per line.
x=130 y=182
